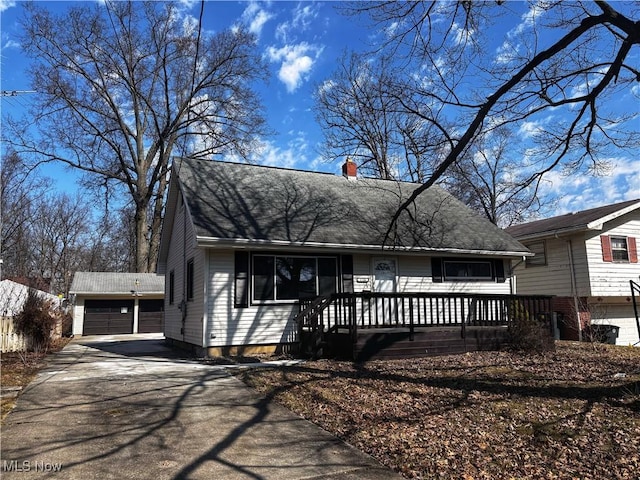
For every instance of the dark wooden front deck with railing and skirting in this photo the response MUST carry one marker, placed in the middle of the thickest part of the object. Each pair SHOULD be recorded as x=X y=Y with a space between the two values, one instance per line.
x=368 y=326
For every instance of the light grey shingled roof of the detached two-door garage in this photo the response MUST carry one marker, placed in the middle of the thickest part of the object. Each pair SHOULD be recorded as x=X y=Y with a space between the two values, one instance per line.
x=113 y=283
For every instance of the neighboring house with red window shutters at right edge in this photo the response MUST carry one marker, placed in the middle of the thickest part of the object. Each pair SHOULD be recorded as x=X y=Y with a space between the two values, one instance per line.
x=586 y=259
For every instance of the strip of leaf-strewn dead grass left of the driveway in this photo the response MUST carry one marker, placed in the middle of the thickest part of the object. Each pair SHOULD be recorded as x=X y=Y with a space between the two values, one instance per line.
x=18 y=369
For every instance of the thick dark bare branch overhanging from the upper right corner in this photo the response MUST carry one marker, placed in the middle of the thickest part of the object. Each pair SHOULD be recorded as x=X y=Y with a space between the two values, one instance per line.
x=554 y=76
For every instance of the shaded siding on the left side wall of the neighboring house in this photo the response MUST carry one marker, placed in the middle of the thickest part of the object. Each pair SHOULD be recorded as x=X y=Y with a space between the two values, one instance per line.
x=554 y=278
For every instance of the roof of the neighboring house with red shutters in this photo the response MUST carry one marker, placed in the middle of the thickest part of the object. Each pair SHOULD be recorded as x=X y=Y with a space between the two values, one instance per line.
x=592 y=218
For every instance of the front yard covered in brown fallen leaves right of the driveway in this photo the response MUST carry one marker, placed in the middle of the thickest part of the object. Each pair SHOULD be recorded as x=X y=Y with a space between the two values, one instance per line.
x=569 y=414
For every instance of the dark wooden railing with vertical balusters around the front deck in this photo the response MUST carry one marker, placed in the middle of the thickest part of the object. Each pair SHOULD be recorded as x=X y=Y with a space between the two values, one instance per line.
x=366 y=310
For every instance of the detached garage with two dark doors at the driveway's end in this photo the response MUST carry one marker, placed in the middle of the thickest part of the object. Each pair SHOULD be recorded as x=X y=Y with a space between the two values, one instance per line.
x=108 y=303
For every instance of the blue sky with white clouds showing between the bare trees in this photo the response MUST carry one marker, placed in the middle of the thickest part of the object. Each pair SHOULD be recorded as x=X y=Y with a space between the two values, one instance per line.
x=302 y=42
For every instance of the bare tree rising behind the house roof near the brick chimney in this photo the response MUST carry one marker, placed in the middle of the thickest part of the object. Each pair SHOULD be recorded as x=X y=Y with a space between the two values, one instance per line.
x=362 y=117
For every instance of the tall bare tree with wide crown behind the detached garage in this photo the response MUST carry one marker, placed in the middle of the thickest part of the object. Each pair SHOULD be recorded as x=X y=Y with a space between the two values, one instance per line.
x=124 y=86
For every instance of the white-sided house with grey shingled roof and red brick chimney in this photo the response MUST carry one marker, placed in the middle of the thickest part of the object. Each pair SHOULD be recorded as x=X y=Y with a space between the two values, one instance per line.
x=242 y=244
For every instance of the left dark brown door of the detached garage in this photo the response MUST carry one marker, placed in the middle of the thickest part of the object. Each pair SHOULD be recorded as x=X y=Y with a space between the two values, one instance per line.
x=108 y=317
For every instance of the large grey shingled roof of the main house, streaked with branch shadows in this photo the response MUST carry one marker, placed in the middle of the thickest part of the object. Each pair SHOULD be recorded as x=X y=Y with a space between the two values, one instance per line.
x=241 y=204
